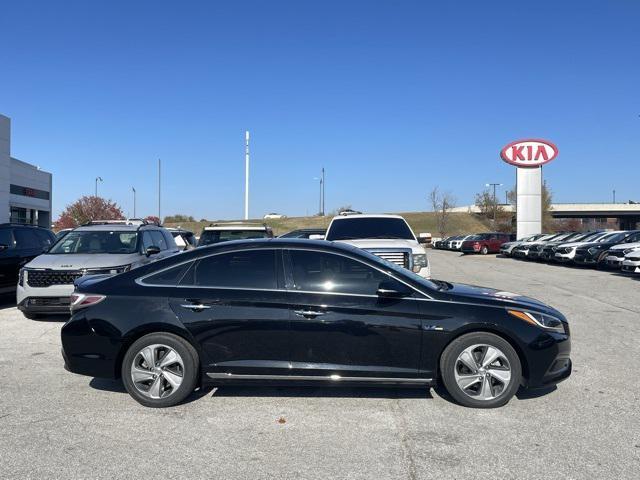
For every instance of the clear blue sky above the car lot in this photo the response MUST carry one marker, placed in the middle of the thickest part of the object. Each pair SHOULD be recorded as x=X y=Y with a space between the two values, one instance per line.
x=391 y=97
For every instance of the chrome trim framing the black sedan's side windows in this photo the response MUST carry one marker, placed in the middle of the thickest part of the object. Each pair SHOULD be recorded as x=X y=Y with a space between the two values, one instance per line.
x=140 y=280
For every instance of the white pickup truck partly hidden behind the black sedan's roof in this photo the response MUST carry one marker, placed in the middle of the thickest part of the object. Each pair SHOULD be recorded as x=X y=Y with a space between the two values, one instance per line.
x=387 y=236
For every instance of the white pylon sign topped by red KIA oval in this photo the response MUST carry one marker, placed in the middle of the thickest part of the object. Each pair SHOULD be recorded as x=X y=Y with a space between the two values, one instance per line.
x=528 y=156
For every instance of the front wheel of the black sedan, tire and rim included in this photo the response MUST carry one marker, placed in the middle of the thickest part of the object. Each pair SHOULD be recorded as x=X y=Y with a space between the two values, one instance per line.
x=486 y=388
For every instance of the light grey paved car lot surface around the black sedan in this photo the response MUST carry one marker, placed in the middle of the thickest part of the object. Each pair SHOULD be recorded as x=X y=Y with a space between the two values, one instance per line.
x=57 y=424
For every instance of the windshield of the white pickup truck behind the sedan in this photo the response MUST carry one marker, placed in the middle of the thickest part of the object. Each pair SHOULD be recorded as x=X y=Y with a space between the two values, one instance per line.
x=358 y=228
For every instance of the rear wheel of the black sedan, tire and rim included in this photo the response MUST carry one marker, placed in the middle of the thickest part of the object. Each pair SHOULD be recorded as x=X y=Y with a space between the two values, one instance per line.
x=159 y=385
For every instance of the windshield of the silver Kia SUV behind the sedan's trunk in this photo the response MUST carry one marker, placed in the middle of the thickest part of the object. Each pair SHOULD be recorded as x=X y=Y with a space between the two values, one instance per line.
x=103 y=241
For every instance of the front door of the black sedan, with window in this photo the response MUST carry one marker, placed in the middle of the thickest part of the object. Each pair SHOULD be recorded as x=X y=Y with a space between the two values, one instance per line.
x=339 y=325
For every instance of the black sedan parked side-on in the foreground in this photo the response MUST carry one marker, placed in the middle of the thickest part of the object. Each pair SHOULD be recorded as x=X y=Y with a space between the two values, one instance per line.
x=307 y=311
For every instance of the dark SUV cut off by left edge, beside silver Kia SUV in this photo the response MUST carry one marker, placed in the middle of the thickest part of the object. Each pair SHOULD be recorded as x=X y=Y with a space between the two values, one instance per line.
x=19 y=244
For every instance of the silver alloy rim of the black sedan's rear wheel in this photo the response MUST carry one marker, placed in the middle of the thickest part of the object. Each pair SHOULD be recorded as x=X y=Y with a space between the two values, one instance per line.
x=157 y=371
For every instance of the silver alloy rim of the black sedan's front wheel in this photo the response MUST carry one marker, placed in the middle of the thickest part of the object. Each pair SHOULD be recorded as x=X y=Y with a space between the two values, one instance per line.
x=482 y=372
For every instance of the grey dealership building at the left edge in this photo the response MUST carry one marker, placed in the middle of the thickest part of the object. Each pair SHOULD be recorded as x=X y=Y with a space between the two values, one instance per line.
x=25 y=190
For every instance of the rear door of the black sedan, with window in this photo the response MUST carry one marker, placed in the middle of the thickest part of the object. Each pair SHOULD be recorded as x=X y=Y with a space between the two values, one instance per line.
x=232 y=305
